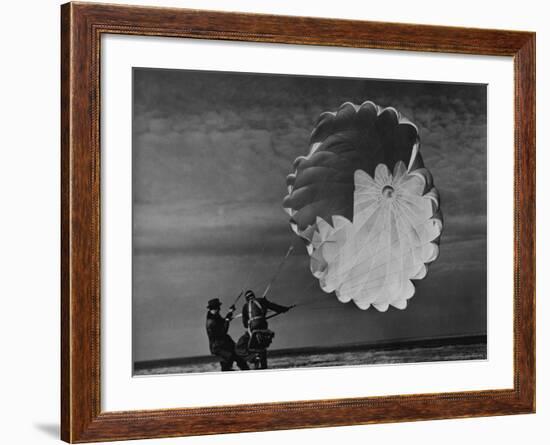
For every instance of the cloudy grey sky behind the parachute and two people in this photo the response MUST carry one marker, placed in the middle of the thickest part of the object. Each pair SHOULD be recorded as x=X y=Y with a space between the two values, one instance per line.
x=211 y=151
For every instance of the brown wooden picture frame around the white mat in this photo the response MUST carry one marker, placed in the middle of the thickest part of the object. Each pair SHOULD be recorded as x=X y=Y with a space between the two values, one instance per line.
x=82 y=25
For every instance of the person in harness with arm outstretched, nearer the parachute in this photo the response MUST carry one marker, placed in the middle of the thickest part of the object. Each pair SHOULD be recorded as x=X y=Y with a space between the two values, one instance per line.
x=258 y=335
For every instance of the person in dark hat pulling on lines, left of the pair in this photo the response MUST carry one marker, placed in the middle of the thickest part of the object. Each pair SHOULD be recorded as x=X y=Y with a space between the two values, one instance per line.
x=221 y=344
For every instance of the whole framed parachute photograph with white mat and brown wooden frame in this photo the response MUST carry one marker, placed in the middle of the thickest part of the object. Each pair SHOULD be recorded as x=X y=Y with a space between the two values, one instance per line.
x=275 y=222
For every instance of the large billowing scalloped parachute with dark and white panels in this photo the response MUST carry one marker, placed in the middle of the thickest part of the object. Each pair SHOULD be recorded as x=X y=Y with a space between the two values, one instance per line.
x=365 y=206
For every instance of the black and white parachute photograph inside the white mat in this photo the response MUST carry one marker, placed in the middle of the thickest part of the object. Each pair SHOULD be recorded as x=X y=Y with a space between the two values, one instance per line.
x=291 y=221
